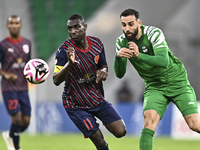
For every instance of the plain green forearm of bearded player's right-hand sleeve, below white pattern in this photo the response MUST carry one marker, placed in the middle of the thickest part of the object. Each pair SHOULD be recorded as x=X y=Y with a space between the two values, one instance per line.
x=160 y=59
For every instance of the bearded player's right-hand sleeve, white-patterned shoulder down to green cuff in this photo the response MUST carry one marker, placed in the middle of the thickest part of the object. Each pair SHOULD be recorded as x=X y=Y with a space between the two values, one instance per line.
x=160 y=48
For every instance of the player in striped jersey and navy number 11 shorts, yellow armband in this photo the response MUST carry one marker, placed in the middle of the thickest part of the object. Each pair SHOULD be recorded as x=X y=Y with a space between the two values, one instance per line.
x=81 y=63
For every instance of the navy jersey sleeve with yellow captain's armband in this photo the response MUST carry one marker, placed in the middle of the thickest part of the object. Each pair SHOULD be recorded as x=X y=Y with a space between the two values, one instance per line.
x=60 y=59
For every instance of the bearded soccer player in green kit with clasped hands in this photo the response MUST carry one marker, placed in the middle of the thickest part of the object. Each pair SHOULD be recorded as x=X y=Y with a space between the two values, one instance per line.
x=164 y=75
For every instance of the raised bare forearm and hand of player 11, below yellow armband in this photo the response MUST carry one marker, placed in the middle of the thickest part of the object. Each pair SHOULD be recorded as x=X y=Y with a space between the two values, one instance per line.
x=60 y=76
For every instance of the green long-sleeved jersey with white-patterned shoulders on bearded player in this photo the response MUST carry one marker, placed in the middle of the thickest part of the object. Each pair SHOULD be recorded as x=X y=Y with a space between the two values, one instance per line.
x=156 y=64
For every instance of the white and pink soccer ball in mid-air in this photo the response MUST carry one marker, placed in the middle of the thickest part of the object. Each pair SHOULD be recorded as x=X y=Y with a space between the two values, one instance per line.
x=36 y=71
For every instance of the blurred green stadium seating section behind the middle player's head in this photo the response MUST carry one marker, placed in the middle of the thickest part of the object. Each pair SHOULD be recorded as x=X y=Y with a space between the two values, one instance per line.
x=50 y=19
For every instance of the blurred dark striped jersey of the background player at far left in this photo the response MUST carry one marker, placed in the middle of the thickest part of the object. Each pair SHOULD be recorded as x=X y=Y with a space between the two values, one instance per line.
x=13 y=57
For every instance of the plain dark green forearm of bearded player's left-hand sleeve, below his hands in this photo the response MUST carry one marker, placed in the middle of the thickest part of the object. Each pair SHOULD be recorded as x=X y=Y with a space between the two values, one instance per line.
x=120 y=66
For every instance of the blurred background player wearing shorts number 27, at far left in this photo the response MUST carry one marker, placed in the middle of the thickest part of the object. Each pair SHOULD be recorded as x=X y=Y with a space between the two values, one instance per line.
x=15 y=51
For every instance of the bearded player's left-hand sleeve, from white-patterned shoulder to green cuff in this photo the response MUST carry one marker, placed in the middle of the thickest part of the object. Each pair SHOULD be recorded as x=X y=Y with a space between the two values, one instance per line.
x=119 y=63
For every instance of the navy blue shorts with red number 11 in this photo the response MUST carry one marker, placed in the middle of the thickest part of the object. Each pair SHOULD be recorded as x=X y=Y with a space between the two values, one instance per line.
x=85 y=119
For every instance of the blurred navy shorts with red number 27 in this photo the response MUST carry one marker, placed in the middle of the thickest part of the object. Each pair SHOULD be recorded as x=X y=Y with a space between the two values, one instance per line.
x=17 y=101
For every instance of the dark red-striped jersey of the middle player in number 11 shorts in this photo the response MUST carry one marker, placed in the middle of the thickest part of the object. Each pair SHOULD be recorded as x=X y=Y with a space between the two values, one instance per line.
x=81 y=89
